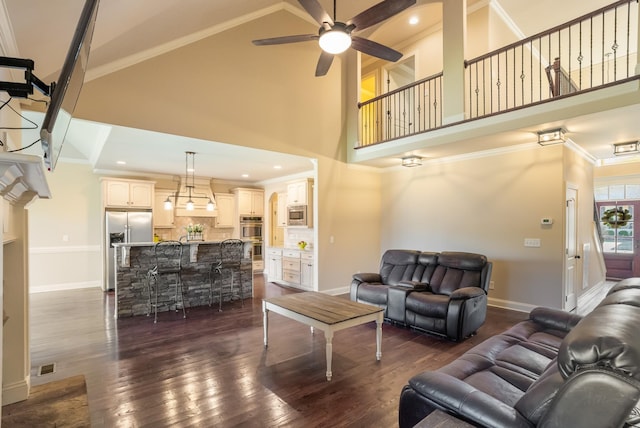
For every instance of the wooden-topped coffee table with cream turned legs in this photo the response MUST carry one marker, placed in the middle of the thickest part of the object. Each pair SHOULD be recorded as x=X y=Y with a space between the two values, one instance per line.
x=325 y=312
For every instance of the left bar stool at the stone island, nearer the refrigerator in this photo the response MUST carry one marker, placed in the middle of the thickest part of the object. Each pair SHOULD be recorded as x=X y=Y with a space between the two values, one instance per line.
x=168 y=257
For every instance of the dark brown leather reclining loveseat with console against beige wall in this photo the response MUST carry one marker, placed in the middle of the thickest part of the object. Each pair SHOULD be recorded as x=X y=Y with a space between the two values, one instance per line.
x=441 y=293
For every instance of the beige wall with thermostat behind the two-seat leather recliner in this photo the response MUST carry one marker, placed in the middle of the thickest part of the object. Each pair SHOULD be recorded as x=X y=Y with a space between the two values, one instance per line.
x=486 y=205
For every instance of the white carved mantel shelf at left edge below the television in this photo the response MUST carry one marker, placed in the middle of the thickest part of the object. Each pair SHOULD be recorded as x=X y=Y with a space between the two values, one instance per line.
x=22 y=177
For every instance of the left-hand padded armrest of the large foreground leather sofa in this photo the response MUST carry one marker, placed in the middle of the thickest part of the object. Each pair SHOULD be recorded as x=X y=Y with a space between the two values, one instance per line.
x=466 y=402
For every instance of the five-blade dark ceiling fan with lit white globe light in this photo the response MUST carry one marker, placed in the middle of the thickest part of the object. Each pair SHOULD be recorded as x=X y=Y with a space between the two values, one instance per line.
x=336 y=37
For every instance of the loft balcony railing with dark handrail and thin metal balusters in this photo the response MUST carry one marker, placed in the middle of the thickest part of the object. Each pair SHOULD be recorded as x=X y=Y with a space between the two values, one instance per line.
x=594 y=51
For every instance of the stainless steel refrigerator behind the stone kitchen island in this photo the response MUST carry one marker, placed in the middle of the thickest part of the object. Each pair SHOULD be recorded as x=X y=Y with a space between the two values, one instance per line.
x=124 y=226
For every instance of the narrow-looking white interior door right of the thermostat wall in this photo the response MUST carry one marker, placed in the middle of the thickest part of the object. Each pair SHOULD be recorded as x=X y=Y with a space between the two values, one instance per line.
x=571 y=250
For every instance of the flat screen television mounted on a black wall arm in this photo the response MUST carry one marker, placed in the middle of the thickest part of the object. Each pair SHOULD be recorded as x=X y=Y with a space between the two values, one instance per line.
x=66 y=91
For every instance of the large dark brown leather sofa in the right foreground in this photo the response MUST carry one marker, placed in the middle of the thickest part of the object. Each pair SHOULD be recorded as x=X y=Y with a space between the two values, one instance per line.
x=555 y=369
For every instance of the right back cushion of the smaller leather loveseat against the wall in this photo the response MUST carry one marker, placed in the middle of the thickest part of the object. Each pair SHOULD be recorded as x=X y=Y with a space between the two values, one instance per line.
x=457 y=270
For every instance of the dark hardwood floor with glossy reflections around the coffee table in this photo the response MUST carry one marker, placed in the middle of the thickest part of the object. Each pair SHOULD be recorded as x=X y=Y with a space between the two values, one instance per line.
x=213 y=370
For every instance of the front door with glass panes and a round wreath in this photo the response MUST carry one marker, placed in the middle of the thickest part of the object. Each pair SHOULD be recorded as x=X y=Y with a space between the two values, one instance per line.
x=620 y=241
